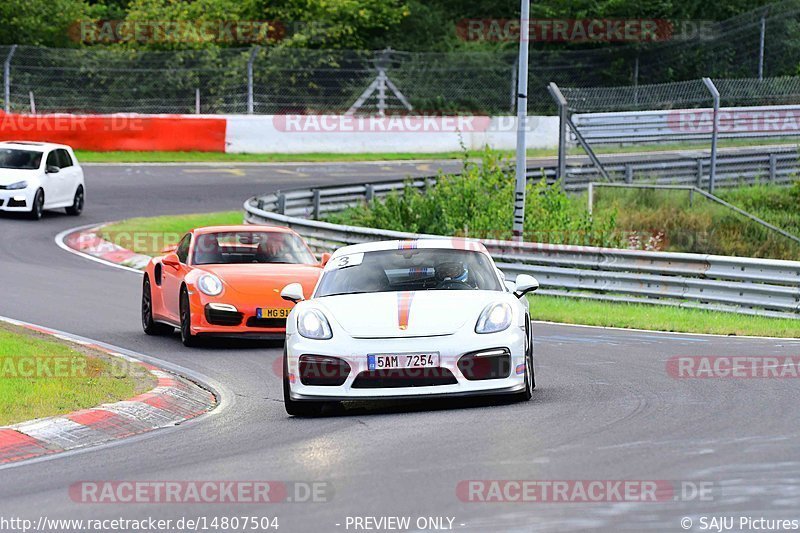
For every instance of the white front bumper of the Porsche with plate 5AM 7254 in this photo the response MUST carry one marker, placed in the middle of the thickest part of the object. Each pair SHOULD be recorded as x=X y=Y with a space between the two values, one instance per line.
x=450 y=348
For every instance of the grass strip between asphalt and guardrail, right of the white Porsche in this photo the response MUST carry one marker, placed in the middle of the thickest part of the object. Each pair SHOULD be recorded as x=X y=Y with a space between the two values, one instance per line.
x=658 y=317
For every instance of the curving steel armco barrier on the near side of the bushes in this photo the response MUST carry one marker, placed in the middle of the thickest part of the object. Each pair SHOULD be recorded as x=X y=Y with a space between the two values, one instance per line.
x=744 y=285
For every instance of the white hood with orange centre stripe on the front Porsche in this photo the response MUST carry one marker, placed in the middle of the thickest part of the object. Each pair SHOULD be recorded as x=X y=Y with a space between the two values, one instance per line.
x=406 y=314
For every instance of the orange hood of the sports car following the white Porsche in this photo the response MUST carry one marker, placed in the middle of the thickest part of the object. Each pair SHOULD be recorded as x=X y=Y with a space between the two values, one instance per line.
x=254 y=279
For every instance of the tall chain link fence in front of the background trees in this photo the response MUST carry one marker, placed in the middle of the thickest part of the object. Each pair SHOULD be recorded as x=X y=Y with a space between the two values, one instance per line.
x=762 y=46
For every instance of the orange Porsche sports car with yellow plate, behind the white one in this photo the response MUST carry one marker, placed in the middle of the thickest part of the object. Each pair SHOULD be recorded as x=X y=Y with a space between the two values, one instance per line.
x=226 y=281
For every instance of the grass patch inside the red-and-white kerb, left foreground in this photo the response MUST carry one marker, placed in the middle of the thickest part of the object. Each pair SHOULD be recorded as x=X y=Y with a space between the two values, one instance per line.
x=97 y=379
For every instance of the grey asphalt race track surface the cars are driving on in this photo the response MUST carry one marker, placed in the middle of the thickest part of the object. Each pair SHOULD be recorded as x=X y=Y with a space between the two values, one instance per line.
x=605 y=407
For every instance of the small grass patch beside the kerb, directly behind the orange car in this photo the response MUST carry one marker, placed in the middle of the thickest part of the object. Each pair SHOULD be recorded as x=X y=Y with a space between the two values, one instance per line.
x=149 y=235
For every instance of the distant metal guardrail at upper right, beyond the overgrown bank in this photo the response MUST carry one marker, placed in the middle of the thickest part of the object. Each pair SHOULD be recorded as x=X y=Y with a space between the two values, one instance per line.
x=678 y=125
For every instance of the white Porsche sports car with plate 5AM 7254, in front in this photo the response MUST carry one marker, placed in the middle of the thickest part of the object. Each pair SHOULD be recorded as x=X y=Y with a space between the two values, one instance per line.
x=406 y=319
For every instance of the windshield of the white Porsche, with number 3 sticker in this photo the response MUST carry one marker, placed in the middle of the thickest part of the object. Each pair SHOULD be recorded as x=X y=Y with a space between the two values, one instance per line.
x=408 y=270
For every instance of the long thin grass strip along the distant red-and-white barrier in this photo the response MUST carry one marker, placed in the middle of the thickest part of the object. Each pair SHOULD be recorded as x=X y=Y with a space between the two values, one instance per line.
x=218 y=157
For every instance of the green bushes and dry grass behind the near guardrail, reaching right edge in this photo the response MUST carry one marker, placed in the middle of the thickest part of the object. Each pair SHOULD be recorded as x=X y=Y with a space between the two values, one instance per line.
x=478 y=203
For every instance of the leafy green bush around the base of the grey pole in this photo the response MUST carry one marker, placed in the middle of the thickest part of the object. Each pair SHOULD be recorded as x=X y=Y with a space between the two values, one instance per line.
x=479 y=203
